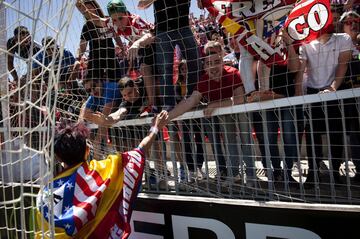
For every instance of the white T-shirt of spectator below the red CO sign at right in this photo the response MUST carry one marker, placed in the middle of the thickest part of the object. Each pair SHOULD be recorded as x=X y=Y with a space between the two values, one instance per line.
x=322 y=59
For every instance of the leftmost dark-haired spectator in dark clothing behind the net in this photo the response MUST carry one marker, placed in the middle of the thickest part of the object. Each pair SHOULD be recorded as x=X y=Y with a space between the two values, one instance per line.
x=20 y=44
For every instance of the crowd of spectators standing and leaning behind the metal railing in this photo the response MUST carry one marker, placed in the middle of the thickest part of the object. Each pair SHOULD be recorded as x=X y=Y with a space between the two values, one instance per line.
x=127 y=68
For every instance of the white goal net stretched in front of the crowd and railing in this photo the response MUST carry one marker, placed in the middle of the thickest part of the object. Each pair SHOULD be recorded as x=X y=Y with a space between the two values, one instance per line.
x=257 y=127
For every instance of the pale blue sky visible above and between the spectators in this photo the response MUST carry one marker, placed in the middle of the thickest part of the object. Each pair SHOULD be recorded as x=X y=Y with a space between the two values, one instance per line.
x=50 y=12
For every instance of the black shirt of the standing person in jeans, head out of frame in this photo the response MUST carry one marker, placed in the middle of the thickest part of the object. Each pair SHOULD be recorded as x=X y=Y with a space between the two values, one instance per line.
x=171 y=14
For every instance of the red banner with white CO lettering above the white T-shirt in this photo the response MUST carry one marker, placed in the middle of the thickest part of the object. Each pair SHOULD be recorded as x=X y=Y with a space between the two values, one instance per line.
x=309 y=19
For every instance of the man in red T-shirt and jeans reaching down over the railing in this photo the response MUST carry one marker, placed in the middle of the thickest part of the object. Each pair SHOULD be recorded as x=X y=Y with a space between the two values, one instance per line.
x=221 y=86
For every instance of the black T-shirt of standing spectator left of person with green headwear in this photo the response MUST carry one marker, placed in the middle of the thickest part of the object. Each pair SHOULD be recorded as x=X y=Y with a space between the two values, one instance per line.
x=102 y=63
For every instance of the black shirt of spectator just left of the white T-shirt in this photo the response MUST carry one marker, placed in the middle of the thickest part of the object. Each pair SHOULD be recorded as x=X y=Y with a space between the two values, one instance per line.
x=282 y=81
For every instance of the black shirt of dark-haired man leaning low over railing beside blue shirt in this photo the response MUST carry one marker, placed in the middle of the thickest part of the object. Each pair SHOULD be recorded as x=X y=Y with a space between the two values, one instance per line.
x=135 y=109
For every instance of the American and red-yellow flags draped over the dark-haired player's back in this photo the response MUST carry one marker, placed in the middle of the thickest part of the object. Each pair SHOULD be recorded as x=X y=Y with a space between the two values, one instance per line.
x=92 y=200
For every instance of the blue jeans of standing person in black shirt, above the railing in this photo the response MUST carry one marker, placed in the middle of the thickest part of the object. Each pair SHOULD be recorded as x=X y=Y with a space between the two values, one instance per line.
x=165 y=46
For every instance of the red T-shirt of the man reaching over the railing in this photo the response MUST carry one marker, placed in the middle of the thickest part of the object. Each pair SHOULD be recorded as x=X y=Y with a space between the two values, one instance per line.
x=220 y=90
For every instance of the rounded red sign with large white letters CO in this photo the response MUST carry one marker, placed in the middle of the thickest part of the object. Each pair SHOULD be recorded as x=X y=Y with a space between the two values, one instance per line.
x=300 y=26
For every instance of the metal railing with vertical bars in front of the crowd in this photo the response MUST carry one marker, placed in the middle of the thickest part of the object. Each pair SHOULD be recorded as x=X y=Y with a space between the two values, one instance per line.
x=261 y=151
